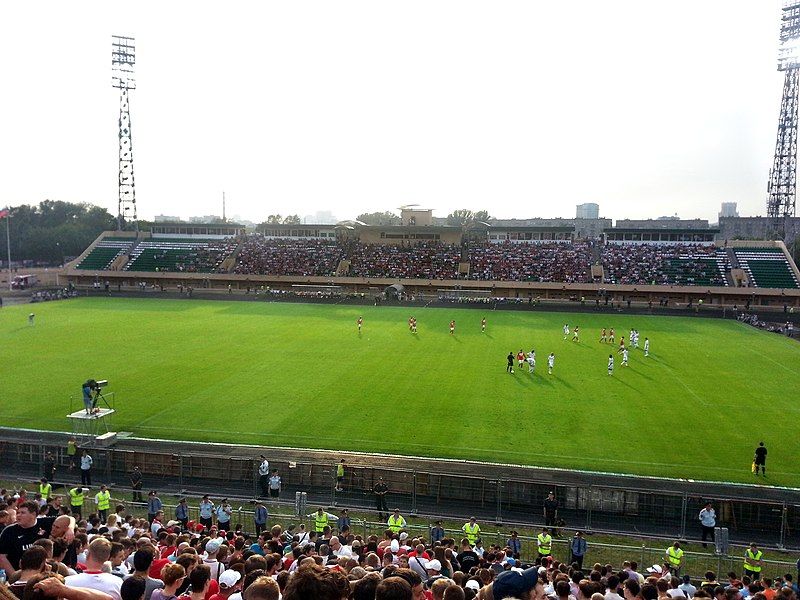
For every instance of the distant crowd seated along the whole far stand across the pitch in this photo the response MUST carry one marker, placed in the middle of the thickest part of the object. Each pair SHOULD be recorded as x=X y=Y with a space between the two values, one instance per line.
x=566 y=262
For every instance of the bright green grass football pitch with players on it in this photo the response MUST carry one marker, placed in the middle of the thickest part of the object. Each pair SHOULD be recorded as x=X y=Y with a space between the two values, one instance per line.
x=301 y=375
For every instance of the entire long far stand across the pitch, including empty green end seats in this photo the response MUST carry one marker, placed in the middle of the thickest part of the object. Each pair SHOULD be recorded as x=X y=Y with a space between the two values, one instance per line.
x=674 y=264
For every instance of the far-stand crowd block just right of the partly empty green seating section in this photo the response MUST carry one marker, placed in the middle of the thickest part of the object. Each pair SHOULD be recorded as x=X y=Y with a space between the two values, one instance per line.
x=266 y=256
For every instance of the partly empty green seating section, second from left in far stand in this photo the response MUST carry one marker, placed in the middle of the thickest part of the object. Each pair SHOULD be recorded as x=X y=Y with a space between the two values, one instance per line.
x=181 y=255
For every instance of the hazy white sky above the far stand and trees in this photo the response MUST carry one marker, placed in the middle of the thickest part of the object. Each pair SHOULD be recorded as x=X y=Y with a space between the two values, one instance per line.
x=524 y=108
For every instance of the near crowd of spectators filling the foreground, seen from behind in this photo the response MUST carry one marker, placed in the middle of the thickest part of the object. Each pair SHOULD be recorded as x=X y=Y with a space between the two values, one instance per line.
x=48 y=550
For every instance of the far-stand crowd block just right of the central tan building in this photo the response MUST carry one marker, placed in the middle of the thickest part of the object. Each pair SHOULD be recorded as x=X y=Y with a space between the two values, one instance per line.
x=561 y=262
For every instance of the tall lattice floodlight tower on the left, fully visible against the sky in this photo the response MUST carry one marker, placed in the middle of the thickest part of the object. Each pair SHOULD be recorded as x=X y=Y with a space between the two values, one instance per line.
x=123 y=59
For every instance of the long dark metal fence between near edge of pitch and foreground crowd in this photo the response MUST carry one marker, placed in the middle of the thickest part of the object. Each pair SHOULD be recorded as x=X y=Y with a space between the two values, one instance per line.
x=642 y=512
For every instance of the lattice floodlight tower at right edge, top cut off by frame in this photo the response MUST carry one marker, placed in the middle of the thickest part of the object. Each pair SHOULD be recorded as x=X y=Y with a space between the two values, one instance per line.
x=782 y=185
